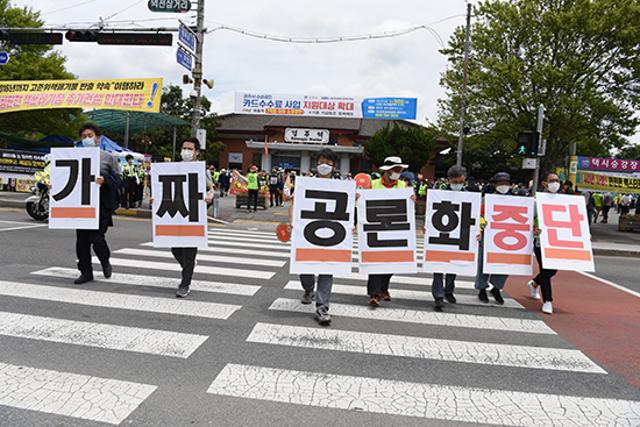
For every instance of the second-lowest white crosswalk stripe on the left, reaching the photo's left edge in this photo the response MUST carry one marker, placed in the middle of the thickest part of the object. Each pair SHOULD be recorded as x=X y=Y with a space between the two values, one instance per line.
x=100 y=335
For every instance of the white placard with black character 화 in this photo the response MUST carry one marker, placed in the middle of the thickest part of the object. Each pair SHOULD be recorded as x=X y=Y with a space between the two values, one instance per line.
x=452 y=224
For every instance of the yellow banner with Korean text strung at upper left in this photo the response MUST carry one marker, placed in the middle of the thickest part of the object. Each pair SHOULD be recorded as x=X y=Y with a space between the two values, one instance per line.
x=117 y=94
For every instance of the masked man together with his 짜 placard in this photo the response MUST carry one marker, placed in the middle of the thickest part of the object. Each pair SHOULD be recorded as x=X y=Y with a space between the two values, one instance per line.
x=180 y=211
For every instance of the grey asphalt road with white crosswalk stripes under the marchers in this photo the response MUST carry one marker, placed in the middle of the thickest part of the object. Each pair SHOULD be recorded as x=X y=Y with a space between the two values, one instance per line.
x=242 y=351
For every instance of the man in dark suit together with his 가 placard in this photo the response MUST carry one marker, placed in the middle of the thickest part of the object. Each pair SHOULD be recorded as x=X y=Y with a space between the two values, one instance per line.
x=85 y=182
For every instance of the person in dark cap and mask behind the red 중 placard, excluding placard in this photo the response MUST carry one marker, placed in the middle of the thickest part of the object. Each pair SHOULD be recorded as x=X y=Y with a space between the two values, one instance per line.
x=502 y=185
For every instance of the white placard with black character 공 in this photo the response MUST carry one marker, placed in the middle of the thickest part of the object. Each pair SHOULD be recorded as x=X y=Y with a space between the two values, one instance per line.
x=323 y=217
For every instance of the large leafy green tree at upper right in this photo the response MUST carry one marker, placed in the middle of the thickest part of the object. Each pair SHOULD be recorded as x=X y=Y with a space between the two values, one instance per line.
x=579 y=58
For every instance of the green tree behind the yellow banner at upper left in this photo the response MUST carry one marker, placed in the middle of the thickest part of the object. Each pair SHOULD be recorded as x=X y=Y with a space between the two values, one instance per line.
x=34 y=62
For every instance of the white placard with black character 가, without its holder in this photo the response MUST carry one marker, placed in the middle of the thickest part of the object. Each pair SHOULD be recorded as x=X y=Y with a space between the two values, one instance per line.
x=75 y=196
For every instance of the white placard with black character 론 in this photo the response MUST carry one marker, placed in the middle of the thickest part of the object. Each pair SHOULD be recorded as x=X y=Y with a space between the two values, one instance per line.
x=387 y=231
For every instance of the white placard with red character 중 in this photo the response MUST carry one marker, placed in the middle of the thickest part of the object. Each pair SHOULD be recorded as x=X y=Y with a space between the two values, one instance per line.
x=508 y=235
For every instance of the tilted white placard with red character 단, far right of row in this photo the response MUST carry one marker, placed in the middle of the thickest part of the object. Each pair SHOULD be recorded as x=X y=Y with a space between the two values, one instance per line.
x=565 y=239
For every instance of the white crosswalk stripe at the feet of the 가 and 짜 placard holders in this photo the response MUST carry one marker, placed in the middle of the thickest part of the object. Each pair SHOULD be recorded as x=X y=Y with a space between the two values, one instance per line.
x=156 y=282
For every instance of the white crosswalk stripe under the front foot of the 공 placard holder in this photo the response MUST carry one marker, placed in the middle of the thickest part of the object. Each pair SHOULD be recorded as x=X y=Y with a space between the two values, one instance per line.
x=421 y=317
